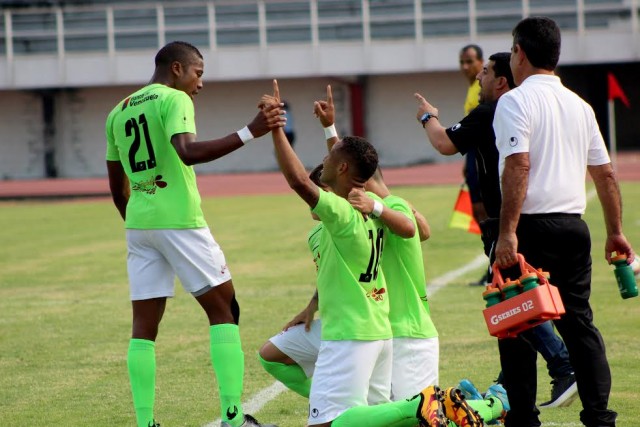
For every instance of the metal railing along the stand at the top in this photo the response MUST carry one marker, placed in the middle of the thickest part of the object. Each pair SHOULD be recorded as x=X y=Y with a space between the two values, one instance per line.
x=225 y=23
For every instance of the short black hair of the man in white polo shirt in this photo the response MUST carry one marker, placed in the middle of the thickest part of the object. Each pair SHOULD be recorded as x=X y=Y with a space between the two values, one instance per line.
x=539 y=38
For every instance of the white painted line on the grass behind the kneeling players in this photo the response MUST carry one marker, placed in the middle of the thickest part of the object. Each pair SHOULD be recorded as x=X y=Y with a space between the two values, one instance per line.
x=266 y=395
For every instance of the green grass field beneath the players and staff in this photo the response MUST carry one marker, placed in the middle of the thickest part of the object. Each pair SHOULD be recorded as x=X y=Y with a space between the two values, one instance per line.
x=65 y=313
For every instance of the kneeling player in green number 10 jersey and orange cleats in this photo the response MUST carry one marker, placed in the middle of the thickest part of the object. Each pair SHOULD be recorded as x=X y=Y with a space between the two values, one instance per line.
x=354 y=350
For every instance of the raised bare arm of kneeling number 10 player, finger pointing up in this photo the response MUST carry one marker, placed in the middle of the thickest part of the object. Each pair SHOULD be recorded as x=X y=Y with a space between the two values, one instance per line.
x=290 y=165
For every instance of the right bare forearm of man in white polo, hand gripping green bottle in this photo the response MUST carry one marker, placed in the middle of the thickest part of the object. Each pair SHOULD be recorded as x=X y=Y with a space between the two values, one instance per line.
x=611 y=201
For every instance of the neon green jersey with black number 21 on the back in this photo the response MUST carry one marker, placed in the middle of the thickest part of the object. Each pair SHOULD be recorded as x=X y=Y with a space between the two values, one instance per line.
x=164 y=193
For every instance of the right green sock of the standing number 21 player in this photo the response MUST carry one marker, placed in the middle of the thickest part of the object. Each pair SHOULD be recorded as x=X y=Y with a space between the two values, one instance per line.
x=227 y=359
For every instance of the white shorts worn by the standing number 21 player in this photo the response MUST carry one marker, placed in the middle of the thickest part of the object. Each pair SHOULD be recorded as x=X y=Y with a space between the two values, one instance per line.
x=155 y=257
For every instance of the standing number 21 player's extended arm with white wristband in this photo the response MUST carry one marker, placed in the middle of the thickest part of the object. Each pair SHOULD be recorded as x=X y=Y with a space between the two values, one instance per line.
x=192 y=152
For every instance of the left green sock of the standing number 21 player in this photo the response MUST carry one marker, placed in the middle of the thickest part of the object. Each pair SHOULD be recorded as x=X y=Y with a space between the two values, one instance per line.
x=141 y=362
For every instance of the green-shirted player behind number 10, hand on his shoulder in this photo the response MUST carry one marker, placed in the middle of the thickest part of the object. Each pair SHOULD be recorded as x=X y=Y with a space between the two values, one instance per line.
x=415 y=339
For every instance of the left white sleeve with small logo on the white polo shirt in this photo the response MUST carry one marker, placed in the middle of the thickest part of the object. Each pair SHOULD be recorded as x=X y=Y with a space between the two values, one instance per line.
x=511 y=126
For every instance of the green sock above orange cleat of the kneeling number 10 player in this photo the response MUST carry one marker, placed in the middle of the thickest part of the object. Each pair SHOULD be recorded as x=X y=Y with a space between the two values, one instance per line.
x=383 y=415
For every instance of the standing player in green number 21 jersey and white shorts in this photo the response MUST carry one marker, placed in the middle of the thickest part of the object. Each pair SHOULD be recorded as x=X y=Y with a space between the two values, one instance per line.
x=151 y=147
